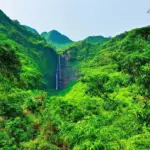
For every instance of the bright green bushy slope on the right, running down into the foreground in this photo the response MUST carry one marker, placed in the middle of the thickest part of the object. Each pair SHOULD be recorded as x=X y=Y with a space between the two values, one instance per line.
x=108 y=108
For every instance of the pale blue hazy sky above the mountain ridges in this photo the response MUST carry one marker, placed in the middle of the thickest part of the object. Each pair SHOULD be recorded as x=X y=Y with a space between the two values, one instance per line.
x=79 y=18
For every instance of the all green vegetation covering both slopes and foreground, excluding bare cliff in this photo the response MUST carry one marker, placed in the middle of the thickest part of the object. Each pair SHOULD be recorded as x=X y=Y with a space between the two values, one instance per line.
x=106 y=108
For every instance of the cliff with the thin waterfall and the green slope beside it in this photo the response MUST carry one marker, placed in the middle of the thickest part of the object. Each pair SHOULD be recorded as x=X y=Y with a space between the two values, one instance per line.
x=72 y=60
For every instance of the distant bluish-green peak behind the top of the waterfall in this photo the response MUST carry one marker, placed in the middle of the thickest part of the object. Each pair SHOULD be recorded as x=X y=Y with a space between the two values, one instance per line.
x=56 y=39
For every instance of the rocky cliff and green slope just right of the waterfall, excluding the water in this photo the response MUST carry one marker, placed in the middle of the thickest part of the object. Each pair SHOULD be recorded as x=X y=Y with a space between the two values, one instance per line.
x=76 y=55
